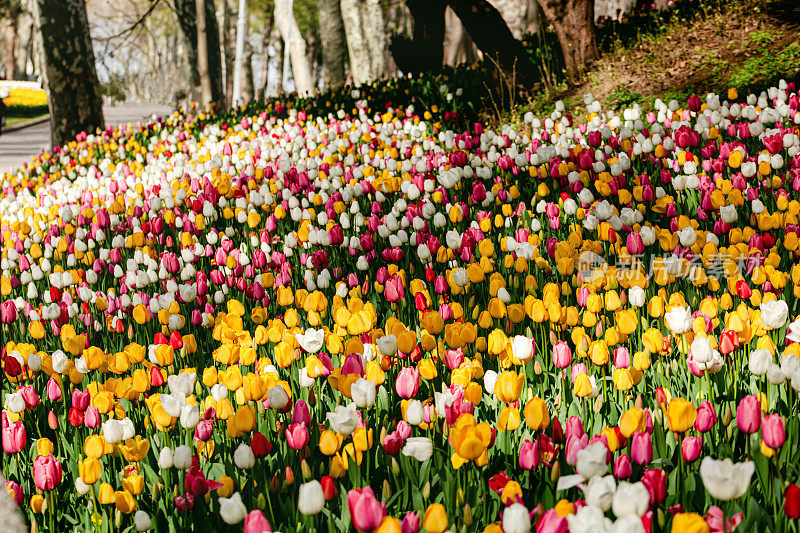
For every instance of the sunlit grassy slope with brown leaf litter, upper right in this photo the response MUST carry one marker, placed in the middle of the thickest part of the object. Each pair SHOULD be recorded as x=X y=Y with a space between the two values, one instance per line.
x=745 y=44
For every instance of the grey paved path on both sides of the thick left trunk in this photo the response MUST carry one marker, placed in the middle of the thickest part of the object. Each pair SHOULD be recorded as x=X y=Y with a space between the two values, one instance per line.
x=17 y=147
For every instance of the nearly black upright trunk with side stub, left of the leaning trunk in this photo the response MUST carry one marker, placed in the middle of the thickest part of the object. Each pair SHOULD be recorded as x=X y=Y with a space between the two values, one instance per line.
x=424 y=52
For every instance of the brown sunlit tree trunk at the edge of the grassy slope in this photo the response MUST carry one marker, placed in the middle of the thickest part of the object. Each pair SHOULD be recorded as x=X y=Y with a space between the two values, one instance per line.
x=573 y=21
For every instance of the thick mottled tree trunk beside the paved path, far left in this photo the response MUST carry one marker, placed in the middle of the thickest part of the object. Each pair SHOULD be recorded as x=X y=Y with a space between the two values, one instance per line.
x=69 y=73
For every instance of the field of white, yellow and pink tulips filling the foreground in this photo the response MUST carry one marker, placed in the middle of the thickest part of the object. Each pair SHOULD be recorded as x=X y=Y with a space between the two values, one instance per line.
x=368 y=311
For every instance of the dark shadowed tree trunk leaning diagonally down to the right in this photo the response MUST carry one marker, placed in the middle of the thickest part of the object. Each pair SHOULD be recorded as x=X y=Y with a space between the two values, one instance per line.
x=492 y=36
